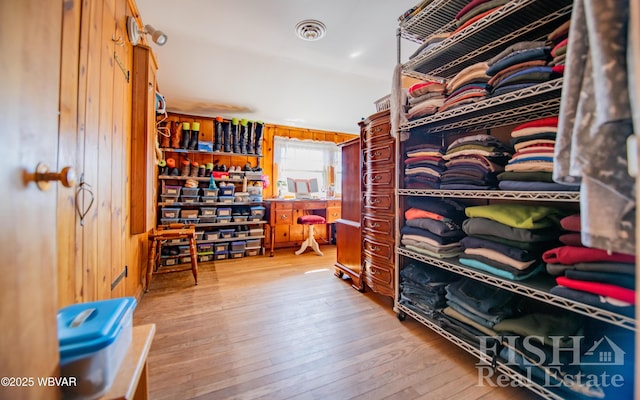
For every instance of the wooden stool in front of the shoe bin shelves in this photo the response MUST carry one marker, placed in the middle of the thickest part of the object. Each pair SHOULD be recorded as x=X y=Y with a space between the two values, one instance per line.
x=158 y=236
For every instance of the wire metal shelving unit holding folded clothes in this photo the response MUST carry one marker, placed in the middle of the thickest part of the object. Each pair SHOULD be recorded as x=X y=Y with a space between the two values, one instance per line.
x=517 y=20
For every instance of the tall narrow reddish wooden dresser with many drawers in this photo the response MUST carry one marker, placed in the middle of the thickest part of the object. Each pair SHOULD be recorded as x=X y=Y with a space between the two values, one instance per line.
x=378 y=203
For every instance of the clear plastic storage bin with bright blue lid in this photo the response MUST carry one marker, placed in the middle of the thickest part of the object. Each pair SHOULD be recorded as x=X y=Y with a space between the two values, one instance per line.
x=93 y=340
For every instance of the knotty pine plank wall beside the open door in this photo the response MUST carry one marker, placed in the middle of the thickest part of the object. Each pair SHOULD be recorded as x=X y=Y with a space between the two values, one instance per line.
x=95 y=137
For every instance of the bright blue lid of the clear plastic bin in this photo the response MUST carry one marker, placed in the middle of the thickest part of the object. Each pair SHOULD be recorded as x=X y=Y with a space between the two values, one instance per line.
x=89 y=327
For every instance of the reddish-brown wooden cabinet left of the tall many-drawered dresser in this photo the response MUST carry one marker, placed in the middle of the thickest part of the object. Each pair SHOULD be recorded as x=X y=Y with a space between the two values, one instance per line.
x=348 y=233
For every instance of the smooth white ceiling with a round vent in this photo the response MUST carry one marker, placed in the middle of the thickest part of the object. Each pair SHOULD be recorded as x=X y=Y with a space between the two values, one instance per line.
x=225 y=55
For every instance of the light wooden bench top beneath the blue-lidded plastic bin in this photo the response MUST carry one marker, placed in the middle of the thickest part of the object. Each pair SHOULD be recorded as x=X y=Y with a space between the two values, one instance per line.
x=131 y=381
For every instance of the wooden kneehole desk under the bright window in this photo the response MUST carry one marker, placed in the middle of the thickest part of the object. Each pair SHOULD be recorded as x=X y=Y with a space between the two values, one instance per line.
x=286 y=212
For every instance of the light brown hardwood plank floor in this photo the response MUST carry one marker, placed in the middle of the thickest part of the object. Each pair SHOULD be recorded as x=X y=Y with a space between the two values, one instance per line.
x=286 y=327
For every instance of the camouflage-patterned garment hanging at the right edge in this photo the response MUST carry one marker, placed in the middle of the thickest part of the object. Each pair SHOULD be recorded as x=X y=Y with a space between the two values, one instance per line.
x=595 y=121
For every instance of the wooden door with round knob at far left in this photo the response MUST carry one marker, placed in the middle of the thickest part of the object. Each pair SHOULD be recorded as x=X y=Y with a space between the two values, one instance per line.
x=30 y=32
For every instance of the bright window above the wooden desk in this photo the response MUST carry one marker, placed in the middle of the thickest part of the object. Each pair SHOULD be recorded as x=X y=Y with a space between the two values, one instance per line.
x=306 y=159
